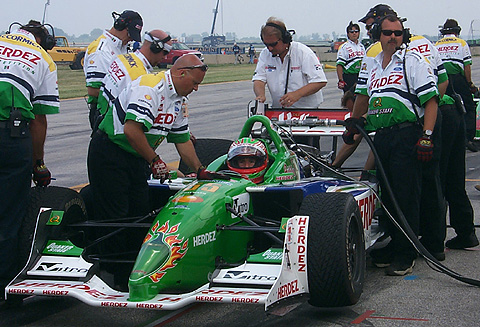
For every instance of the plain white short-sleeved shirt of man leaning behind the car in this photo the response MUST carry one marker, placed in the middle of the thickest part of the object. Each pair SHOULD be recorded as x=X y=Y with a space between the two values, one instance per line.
x=303 y=67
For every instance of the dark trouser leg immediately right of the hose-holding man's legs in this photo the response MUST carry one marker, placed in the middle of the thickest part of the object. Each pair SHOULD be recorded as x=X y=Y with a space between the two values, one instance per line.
x=432 y=206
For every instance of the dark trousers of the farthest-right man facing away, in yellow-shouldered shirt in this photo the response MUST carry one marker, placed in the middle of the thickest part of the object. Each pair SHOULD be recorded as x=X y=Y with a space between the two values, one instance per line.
x=458 y=83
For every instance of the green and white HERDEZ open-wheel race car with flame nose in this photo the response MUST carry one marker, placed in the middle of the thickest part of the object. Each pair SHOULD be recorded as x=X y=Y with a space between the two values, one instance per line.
x=300 y=234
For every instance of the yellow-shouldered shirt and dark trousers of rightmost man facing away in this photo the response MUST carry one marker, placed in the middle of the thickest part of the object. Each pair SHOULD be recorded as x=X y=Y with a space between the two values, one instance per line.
x=455 y=54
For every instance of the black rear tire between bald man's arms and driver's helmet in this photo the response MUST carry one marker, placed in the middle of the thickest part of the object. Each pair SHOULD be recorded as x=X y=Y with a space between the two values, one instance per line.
x=207 y=151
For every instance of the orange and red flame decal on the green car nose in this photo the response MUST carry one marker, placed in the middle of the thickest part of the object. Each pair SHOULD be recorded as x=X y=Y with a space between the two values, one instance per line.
x=176 y=245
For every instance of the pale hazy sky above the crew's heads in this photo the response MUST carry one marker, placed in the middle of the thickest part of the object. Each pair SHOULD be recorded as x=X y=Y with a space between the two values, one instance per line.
x=244 y=17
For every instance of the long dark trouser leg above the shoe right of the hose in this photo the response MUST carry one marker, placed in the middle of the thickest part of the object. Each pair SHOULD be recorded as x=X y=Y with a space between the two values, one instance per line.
x=452 y=171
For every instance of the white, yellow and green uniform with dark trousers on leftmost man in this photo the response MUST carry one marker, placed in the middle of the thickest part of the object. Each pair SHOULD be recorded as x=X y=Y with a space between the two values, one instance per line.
x=28 y=81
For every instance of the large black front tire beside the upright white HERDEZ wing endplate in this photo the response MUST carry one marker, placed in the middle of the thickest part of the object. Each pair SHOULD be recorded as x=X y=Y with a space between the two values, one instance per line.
x=336 y=259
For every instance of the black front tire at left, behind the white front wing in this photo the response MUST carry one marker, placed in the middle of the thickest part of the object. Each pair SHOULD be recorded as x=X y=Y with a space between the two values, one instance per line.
x=57 y=198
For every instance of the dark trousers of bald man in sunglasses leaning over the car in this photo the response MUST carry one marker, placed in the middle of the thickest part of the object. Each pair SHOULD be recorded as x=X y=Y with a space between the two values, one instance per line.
x=119 y=185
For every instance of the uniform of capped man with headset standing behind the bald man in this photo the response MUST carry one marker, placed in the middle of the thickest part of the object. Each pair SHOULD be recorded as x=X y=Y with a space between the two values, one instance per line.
x=100 y=53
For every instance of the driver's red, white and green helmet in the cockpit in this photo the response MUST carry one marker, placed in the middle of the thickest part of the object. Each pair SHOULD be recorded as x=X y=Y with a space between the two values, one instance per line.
x=248 y=157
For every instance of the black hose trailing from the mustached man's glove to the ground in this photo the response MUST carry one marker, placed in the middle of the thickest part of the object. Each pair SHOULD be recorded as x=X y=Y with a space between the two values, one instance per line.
x=407 y=230
